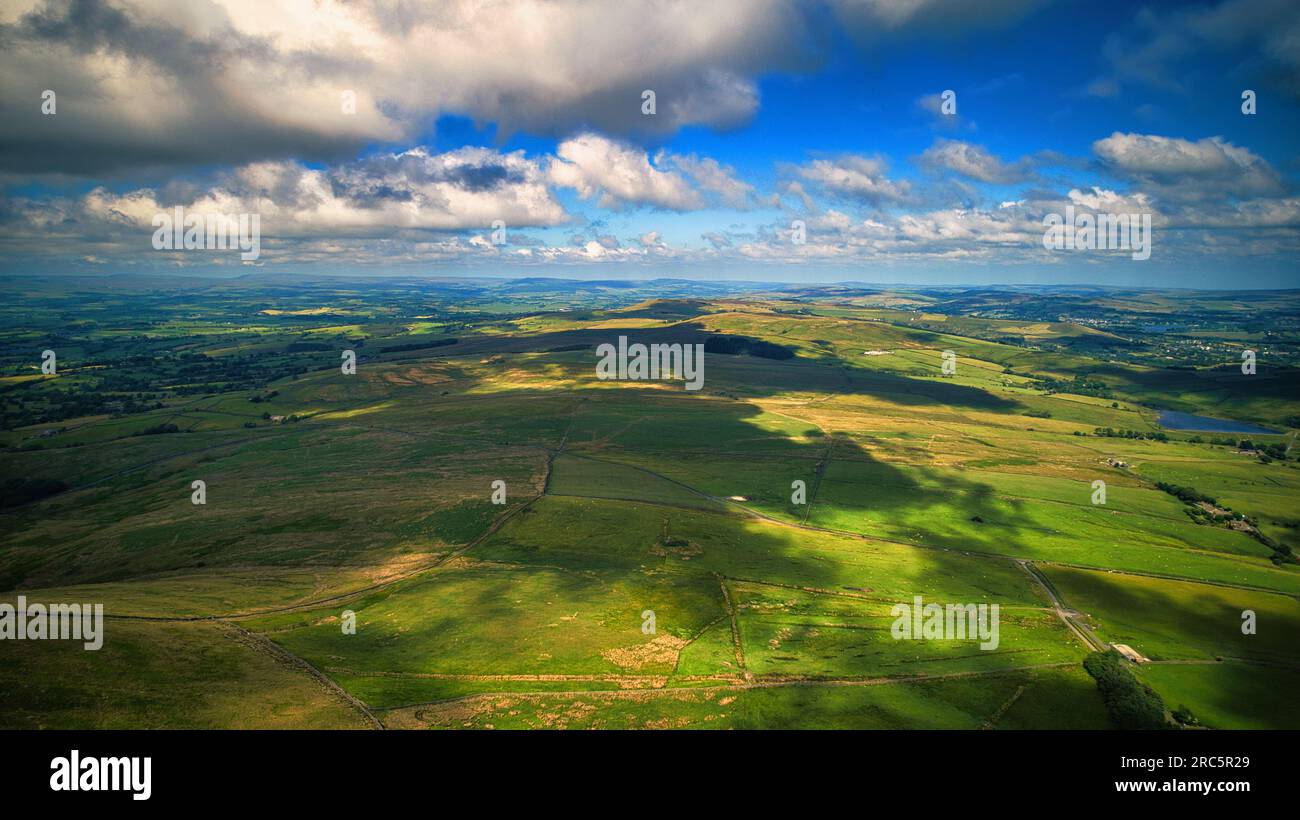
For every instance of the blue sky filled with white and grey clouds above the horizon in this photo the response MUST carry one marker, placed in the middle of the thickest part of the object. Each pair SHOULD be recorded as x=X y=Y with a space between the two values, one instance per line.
x=909 y=142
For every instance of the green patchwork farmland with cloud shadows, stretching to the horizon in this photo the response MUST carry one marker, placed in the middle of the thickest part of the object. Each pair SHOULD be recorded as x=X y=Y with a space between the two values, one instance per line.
x=333 y=497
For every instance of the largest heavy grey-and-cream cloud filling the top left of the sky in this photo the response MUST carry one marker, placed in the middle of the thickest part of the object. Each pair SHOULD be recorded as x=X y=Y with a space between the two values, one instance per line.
x=148 y=84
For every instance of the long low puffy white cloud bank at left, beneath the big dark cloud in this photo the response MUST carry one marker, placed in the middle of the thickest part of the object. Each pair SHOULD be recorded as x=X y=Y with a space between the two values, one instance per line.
x=410 y=196
